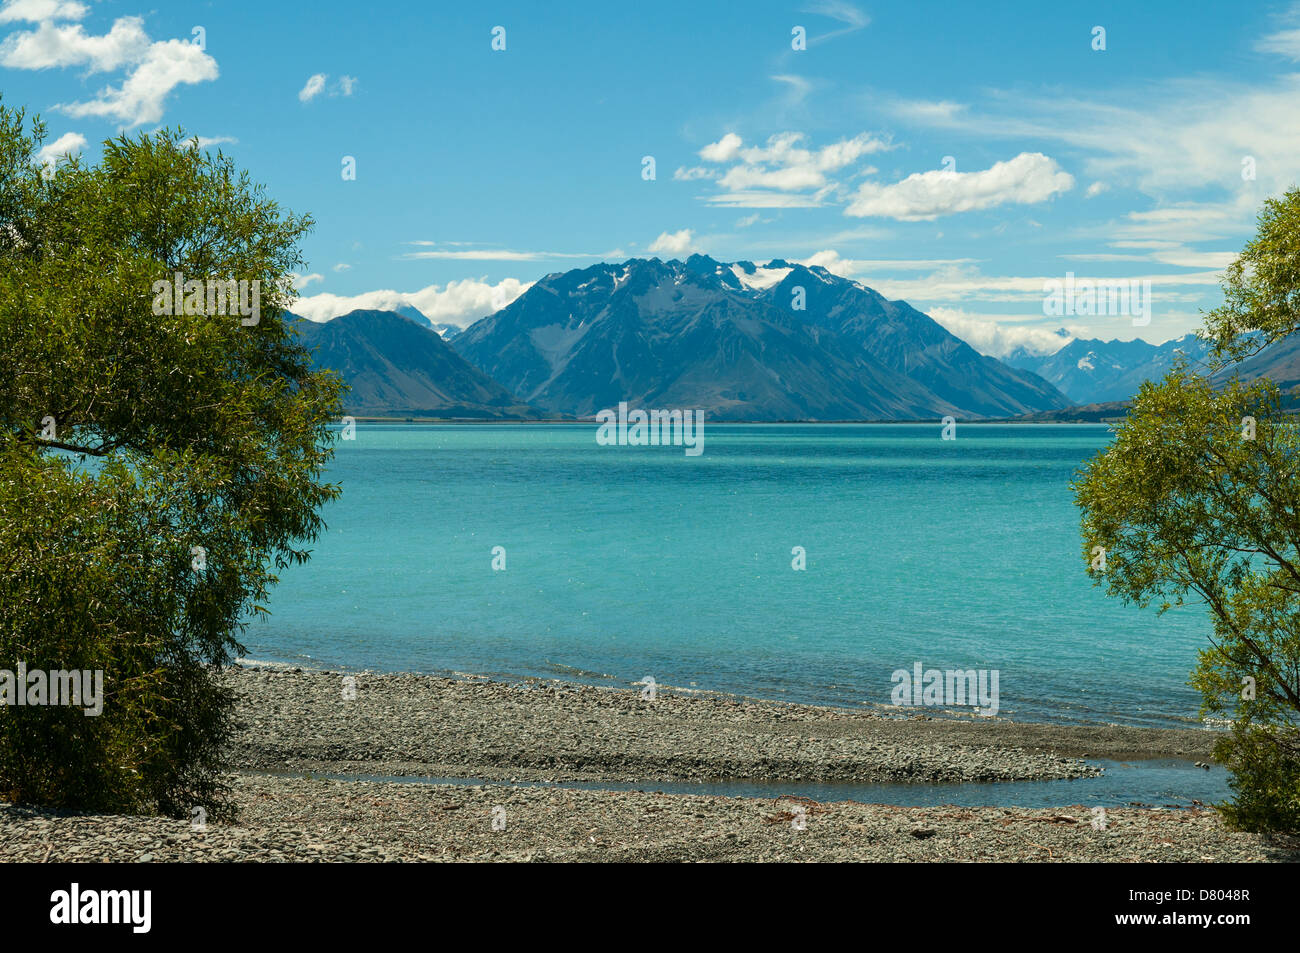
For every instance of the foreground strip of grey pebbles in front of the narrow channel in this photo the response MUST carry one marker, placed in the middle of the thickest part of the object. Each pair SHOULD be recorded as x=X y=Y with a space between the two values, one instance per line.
x=328 y=821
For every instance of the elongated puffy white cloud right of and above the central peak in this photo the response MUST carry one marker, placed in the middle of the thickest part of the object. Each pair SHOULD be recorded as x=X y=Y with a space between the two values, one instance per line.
x=1028 y=180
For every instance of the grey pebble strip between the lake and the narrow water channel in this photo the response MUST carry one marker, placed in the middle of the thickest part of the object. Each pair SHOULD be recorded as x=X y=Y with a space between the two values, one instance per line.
x=551 y=730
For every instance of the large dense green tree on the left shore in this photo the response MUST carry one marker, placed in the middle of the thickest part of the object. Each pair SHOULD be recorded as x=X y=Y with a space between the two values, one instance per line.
x=157 y=470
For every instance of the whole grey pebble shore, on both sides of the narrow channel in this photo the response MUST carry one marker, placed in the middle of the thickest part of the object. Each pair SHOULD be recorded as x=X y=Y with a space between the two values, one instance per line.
x=304 y=725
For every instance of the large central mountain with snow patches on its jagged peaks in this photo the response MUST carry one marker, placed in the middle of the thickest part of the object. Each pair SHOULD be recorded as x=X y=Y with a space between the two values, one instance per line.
x=734 y=341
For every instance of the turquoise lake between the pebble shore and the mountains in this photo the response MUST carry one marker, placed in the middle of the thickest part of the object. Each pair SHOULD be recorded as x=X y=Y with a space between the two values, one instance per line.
x=626 y=562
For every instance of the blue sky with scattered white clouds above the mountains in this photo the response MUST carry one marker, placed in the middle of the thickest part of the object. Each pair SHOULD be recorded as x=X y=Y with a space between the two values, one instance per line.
x=480 y=171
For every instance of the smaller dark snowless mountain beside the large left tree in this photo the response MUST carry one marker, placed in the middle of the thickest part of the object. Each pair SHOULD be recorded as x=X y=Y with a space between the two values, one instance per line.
x=400 y=367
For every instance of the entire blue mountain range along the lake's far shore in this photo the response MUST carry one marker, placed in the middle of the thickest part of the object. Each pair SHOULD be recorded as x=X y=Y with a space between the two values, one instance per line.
x=739 y=341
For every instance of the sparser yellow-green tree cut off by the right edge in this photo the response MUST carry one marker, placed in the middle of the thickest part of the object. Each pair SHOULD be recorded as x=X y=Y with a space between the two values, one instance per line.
x=1199 y=500
